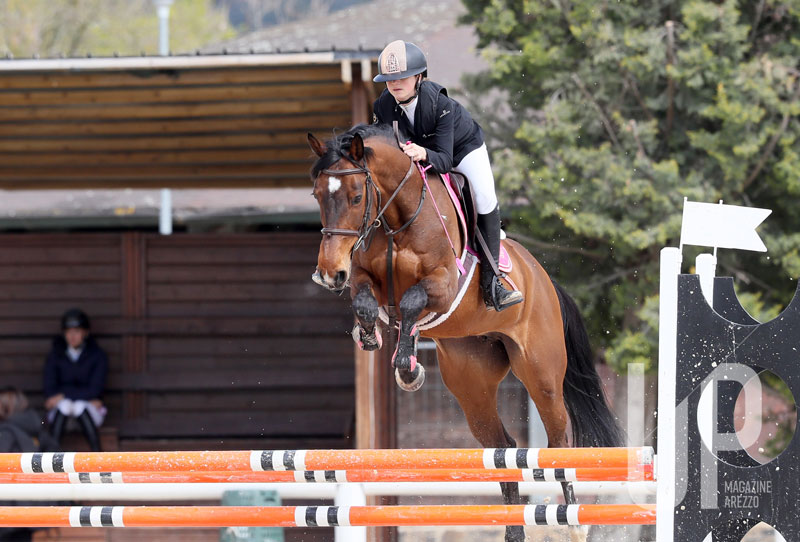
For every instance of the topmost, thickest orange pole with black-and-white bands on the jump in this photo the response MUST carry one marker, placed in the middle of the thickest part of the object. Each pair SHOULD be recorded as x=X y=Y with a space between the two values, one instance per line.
x=302 y=460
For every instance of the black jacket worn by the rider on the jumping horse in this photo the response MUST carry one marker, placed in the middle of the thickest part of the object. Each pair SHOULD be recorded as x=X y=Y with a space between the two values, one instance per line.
x=441 y=125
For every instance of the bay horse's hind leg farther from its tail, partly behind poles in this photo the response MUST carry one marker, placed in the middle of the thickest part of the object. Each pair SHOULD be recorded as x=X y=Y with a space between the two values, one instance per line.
x=472 y=369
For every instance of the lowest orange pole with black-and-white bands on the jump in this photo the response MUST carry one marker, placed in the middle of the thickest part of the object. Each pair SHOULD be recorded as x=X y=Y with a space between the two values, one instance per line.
x=325 y=516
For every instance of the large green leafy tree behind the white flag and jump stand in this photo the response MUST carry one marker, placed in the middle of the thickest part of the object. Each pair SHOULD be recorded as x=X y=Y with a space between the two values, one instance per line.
x=616 y=110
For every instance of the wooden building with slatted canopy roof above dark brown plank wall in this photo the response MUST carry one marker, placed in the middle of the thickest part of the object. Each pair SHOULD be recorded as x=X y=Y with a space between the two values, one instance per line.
x=215 y=341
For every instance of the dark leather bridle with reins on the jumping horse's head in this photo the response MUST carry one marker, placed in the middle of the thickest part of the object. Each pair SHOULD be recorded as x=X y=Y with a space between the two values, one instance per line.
x=364 y=233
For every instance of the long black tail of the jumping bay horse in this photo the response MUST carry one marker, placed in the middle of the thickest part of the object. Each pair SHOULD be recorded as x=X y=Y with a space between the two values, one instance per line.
x=593 y=423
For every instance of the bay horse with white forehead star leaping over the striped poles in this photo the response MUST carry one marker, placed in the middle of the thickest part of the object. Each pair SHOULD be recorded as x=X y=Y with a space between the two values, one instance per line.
x=384 y=232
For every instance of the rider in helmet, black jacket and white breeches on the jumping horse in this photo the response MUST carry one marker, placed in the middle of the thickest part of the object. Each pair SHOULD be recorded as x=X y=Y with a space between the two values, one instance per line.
x=443 y=133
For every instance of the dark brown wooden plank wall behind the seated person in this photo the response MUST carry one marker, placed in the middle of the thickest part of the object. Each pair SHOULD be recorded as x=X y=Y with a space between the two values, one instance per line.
x=215 y=341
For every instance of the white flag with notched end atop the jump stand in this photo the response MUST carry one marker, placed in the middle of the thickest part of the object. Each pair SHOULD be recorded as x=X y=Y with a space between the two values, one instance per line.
x=722 y=226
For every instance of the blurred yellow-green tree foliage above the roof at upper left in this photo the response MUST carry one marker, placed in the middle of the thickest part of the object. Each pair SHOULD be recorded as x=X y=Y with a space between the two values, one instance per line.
x=51 y=28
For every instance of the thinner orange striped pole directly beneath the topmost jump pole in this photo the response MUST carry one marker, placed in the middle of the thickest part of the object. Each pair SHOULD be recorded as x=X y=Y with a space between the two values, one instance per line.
x=614 y=474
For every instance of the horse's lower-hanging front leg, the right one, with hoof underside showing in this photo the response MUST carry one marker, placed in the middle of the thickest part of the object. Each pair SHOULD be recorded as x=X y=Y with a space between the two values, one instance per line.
x=409 y=374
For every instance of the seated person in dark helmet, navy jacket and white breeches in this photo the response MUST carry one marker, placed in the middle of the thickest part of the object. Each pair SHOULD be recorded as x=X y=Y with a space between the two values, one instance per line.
x=74 y=379
